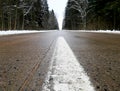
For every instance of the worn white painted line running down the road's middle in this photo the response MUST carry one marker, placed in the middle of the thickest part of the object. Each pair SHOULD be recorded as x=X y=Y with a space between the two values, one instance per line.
x=66 y=73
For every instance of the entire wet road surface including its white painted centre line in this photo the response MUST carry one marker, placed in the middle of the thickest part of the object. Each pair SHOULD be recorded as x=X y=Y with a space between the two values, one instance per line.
x=27 y=59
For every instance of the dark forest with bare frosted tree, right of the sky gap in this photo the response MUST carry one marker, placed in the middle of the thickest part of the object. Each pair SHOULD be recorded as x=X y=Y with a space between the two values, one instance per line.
x=92 y=14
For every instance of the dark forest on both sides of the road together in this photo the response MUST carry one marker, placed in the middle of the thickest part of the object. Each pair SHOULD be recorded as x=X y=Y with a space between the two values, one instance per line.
x=79 y=15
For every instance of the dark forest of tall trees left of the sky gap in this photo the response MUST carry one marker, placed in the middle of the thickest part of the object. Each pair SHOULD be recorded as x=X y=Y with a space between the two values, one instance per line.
x=25 y=15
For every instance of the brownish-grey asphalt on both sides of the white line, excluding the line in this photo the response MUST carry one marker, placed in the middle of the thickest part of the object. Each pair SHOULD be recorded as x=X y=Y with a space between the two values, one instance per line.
x=25 y=59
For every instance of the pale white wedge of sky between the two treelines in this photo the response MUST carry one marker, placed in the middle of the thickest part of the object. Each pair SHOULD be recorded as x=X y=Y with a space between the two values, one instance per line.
x=59 y=8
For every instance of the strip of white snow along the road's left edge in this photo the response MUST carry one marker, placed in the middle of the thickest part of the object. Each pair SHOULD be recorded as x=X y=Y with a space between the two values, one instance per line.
x=21 y=32
